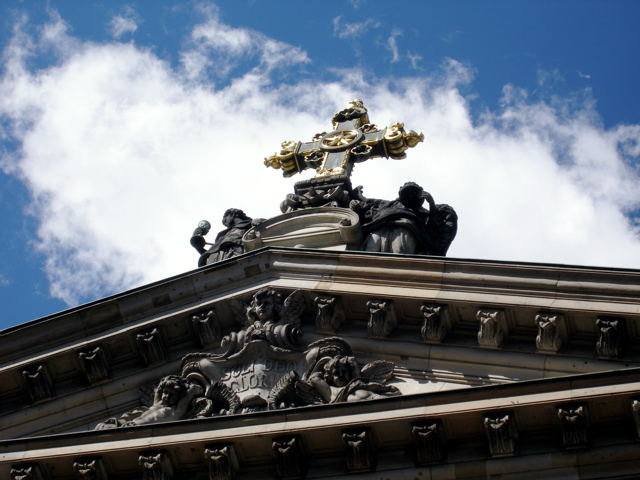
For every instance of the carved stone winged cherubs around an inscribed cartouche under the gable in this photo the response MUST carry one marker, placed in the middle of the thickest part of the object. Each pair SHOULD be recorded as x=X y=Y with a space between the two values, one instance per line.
x=264 y=365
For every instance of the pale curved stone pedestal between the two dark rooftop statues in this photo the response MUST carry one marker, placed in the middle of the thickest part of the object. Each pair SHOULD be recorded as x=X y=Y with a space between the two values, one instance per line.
x=330 y=228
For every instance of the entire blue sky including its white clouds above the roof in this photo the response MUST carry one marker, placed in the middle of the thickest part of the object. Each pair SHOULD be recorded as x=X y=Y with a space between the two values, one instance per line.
x=124 y=123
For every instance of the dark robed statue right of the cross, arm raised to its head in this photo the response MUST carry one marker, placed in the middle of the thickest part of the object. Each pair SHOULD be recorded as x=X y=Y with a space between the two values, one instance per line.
x=403 y=225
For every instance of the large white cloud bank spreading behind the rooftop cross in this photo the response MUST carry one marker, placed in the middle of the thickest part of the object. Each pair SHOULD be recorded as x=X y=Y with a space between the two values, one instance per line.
x=123 y=155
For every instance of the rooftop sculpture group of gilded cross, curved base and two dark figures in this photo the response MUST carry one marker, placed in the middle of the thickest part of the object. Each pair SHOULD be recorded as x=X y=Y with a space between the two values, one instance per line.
x=411 y=224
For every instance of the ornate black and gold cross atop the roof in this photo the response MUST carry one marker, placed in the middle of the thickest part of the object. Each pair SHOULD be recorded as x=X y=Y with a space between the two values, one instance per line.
x=353 y=139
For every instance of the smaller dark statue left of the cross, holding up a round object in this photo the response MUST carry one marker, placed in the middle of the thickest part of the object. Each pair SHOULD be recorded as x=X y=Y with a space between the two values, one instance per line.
x=228 y=242
